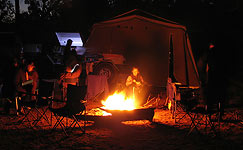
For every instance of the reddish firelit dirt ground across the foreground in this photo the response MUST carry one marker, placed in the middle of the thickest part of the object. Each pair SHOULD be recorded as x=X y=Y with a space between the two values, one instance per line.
x=162 y=133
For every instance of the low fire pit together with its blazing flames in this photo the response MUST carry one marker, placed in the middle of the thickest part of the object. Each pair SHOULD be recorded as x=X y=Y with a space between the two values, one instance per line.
x=118 y=107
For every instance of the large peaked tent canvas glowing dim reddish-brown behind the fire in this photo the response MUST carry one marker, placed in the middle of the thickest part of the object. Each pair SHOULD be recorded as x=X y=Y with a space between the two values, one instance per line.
x=145 y=43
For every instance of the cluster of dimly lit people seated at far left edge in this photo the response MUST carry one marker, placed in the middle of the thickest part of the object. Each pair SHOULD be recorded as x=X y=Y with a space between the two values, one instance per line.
x=21 y=79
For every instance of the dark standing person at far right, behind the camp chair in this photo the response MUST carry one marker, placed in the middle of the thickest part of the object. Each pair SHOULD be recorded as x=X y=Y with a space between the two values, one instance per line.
x=216 y=79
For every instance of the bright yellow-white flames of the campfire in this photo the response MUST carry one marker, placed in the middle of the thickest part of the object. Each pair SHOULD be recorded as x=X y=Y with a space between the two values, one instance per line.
x=119 y=101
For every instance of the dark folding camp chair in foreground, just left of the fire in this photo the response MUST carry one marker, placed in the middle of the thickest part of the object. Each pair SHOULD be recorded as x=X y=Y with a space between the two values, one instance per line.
x=74 y=109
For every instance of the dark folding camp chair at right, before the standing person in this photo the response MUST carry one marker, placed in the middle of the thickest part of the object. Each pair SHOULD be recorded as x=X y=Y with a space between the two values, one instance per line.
x=202 y=119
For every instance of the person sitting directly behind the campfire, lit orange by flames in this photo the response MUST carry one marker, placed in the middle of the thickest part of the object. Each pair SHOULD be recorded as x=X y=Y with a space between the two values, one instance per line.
x=134 y=84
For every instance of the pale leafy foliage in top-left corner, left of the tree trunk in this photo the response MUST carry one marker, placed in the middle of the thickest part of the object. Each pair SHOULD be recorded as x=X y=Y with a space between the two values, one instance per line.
x=7 y=13
